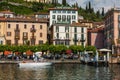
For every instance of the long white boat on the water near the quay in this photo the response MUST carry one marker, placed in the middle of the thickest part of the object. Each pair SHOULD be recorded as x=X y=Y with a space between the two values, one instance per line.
x=34 y=64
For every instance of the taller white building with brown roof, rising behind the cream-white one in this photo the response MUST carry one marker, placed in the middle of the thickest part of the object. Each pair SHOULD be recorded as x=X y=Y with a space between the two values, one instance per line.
x=63 y=15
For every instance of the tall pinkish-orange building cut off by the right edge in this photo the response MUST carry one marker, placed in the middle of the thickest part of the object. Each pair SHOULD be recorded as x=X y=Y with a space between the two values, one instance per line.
x=112 y=30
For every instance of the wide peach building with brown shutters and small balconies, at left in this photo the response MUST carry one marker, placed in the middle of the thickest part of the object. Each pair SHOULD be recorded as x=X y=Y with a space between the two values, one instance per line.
x=19 y=31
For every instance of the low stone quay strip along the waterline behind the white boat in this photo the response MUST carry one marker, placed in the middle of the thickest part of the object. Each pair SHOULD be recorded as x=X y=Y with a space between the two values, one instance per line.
x=53 y=61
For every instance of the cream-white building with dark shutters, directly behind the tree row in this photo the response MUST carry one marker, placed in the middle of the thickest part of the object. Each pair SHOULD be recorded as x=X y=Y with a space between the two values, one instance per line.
x=66 y=34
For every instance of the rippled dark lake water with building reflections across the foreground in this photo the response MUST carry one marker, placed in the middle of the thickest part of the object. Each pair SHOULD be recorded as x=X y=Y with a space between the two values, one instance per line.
x=60 y=72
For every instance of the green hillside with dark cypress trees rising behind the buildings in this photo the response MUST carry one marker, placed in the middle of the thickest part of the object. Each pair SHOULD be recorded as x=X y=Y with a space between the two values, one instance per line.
x=27 y=8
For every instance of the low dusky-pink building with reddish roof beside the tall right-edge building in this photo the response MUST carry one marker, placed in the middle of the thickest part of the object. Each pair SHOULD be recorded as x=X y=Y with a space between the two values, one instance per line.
x=96 y=37
